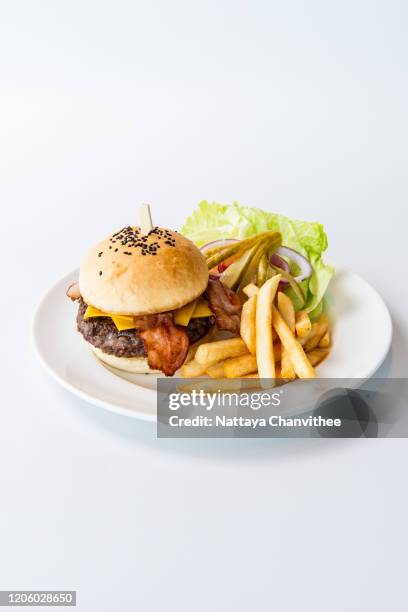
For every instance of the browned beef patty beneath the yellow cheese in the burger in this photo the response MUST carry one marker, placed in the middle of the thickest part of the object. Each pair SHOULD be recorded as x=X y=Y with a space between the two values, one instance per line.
x=101 y=332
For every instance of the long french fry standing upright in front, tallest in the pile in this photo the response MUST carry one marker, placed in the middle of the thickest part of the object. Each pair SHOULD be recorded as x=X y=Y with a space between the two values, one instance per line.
x=264 y=340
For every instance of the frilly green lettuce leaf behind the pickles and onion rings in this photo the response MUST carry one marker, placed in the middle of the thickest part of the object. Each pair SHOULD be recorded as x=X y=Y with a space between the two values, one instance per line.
x=212 y=221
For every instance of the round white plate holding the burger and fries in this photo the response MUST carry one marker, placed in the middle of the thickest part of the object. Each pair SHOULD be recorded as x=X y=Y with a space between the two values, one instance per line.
x=354 y=307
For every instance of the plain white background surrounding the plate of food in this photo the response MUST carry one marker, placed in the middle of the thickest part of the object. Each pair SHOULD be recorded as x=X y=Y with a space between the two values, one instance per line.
x=296 y=107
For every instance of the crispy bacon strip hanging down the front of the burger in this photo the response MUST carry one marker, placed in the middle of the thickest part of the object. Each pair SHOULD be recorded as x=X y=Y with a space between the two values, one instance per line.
x=166 y=344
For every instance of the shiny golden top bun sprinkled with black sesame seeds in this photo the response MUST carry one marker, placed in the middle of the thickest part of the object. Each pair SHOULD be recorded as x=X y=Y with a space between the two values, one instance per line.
x=135 y=274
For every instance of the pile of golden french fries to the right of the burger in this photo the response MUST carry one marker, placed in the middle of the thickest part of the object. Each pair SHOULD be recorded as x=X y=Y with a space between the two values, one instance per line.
x=275 y=342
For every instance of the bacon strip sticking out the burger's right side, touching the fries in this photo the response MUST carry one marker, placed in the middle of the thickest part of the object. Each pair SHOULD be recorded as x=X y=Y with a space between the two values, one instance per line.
x=225 y=305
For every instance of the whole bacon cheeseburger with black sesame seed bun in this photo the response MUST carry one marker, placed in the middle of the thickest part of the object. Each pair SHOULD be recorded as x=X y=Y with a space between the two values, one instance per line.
x=145 y=298
